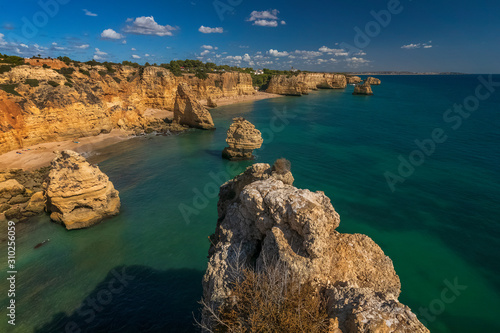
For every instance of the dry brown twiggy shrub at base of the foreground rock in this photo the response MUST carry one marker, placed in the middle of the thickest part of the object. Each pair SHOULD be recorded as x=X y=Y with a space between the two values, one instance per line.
x=269 y=299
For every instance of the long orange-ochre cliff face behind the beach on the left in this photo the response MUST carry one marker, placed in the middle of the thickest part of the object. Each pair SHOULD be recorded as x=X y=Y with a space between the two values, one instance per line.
x=91 y=100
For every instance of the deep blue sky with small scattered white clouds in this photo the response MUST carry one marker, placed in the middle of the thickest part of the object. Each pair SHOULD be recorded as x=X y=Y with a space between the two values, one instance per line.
x=418 y=35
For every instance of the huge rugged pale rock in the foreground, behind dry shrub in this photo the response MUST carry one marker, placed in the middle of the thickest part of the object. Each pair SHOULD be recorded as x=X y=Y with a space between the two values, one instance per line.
x=263 y=217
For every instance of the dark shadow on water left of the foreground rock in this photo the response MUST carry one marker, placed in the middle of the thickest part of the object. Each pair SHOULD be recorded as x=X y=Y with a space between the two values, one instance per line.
x=135 y=299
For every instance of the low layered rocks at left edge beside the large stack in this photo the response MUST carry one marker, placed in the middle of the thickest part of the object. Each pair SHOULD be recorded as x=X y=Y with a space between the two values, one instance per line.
x=21 y=194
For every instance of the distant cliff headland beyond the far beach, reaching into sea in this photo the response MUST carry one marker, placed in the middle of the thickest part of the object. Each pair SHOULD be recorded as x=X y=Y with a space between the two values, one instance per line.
x=301 y=84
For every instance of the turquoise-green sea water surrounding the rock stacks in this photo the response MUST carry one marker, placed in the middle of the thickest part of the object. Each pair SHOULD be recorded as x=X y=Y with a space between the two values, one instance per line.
x=440 y=226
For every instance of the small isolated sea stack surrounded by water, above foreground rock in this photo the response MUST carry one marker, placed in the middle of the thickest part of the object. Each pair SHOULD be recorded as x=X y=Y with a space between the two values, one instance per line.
x=242 y=138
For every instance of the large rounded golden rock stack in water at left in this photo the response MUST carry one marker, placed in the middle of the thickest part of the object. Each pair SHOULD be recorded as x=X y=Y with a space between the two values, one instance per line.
x=78 y=194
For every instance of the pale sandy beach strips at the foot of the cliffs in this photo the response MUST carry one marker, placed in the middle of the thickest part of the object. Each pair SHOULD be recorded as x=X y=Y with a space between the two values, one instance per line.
x=40 y=155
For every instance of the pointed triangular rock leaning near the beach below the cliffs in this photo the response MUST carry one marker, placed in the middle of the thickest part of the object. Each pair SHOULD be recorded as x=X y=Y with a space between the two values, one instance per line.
x=188 y=111
